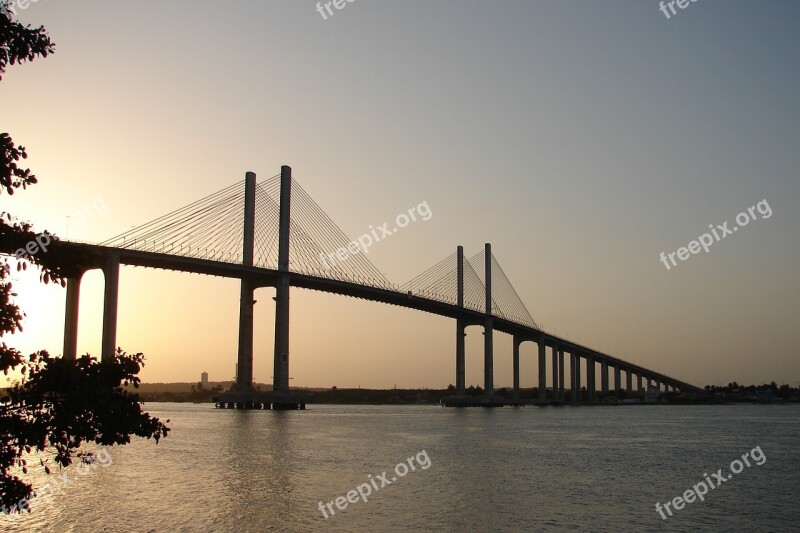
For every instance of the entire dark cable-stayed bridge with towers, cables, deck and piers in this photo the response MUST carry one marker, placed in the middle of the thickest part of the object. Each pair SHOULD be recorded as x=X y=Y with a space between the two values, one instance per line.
x=272 y=234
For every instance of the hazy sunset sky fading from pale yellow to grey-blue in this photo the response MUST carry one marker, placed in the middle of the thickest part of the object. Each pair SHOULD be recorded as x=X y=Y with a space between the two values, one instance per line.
x=580 y=138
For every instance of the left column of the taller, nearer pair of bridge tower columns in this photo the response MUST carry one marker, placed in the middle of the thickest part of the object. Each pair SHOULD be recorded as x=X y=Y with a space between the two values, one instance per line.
x=244 y=360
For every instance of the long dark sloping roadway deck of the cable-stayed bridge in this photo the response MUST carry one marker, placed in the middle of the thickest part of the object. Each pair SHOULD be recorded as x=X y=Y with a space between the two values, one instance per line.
x=264 y=277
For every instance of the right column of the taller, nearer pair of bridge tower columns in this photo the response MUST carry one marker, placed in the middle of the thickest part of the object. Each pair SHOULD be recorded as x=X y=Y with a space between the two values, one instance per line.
x=280 y=374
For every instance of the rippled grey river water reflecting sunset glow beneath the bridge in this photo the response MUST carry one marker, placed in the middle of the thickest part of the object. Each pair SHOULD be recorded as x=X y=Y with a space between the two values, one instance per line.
x=508 y=469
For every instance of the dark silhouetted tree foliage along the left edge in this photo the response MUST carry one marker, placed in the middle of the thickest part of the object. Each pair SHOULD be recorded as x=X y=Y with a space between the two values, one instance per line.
x=58 y=404
